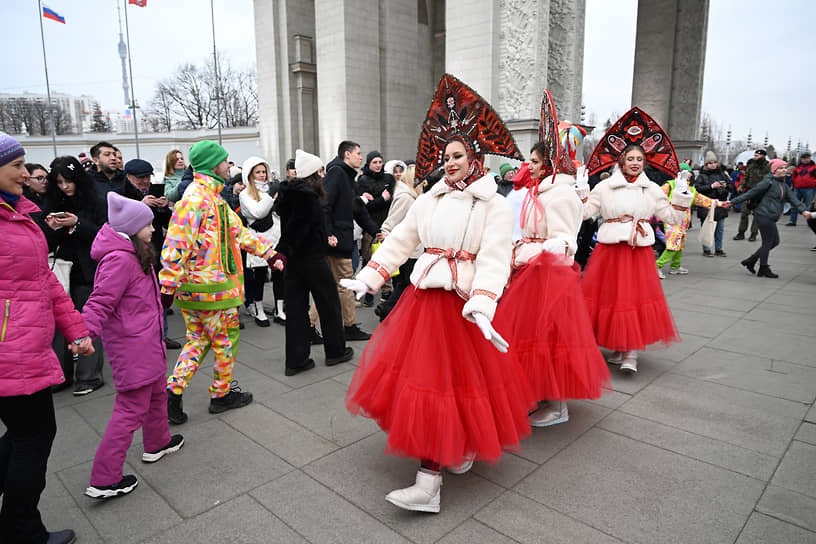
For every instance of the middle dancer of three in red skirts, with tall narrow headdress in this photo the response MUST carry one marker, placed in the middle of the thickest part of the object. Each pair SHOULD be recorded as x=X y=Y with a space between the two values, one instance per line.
x=552 y=337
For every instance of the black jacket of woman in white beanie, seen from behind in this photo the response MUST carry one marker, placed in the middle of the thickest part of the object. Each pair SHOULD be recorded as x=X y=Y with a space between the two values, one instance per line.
x=303 y=228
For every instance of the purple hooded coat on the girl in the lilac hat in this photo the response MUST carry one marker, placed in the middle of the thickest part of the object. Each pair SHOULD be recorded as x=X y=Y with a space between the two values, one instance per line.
x=125 y=310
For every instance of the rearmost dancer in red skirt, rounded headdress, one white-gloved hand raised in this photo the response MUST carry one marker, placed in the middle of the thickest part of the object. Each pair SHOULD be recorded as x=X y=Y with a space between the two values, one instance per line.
x=624 y=297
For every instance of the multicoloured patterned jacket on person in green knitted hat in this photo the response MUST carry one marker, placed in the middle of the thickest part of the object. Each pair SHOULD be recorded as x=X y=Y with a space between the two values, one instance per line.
x=201 y=257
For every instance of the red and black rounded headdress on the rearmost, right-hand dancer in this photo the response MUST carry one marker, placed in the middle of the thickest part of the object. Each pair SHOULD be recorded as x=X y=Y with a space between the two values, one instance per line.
x=635 y=127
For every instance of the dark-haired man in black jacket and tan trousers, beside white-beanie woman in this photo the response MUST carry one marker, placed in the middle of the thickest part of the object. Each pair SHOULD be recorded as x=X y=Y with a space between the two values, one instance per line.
x=338 y=210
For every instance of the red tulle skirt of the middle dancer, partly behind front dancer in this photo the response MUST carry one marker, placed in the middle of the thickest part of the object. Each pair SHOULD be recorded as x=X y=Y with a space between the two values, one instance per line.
x=544 y=315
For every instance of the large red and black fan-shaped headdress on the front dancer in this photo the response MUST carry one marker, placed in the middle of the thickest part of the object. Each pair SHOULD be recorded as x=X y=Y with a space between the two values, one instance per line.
x=458 y=112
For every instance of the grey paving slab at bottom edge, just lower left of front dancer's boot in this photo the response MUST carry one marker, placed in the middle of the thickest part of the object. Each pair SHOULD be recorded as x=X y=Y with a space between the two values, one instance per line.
x=319 y=514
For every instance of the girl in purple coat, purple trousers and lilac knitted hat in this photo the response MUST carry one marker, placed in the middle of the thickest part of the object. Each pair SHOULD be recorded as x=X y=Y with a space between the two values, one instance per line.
x=125 y=310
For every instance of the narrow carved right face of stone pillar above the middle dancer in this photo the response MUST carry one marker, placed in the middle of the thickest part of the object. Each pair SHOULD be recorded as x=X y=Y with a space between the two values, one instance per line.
x=565 y=68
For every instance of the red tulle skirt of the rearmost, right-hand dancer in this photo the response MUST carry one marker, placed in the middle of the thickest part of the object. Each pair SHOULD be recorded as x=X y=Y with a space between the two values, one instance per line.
x=625 y=300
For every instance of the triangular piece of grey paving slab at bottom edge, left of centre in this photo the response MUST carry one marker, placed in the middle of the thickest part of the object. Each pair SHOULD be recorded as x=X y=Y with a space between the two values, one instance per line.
x=239 y=521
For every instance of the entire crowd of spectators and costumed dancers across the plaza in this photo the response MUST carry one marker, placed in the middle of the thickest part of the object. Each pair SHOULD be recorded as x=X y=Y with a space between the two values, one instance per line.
x=463 y=258
